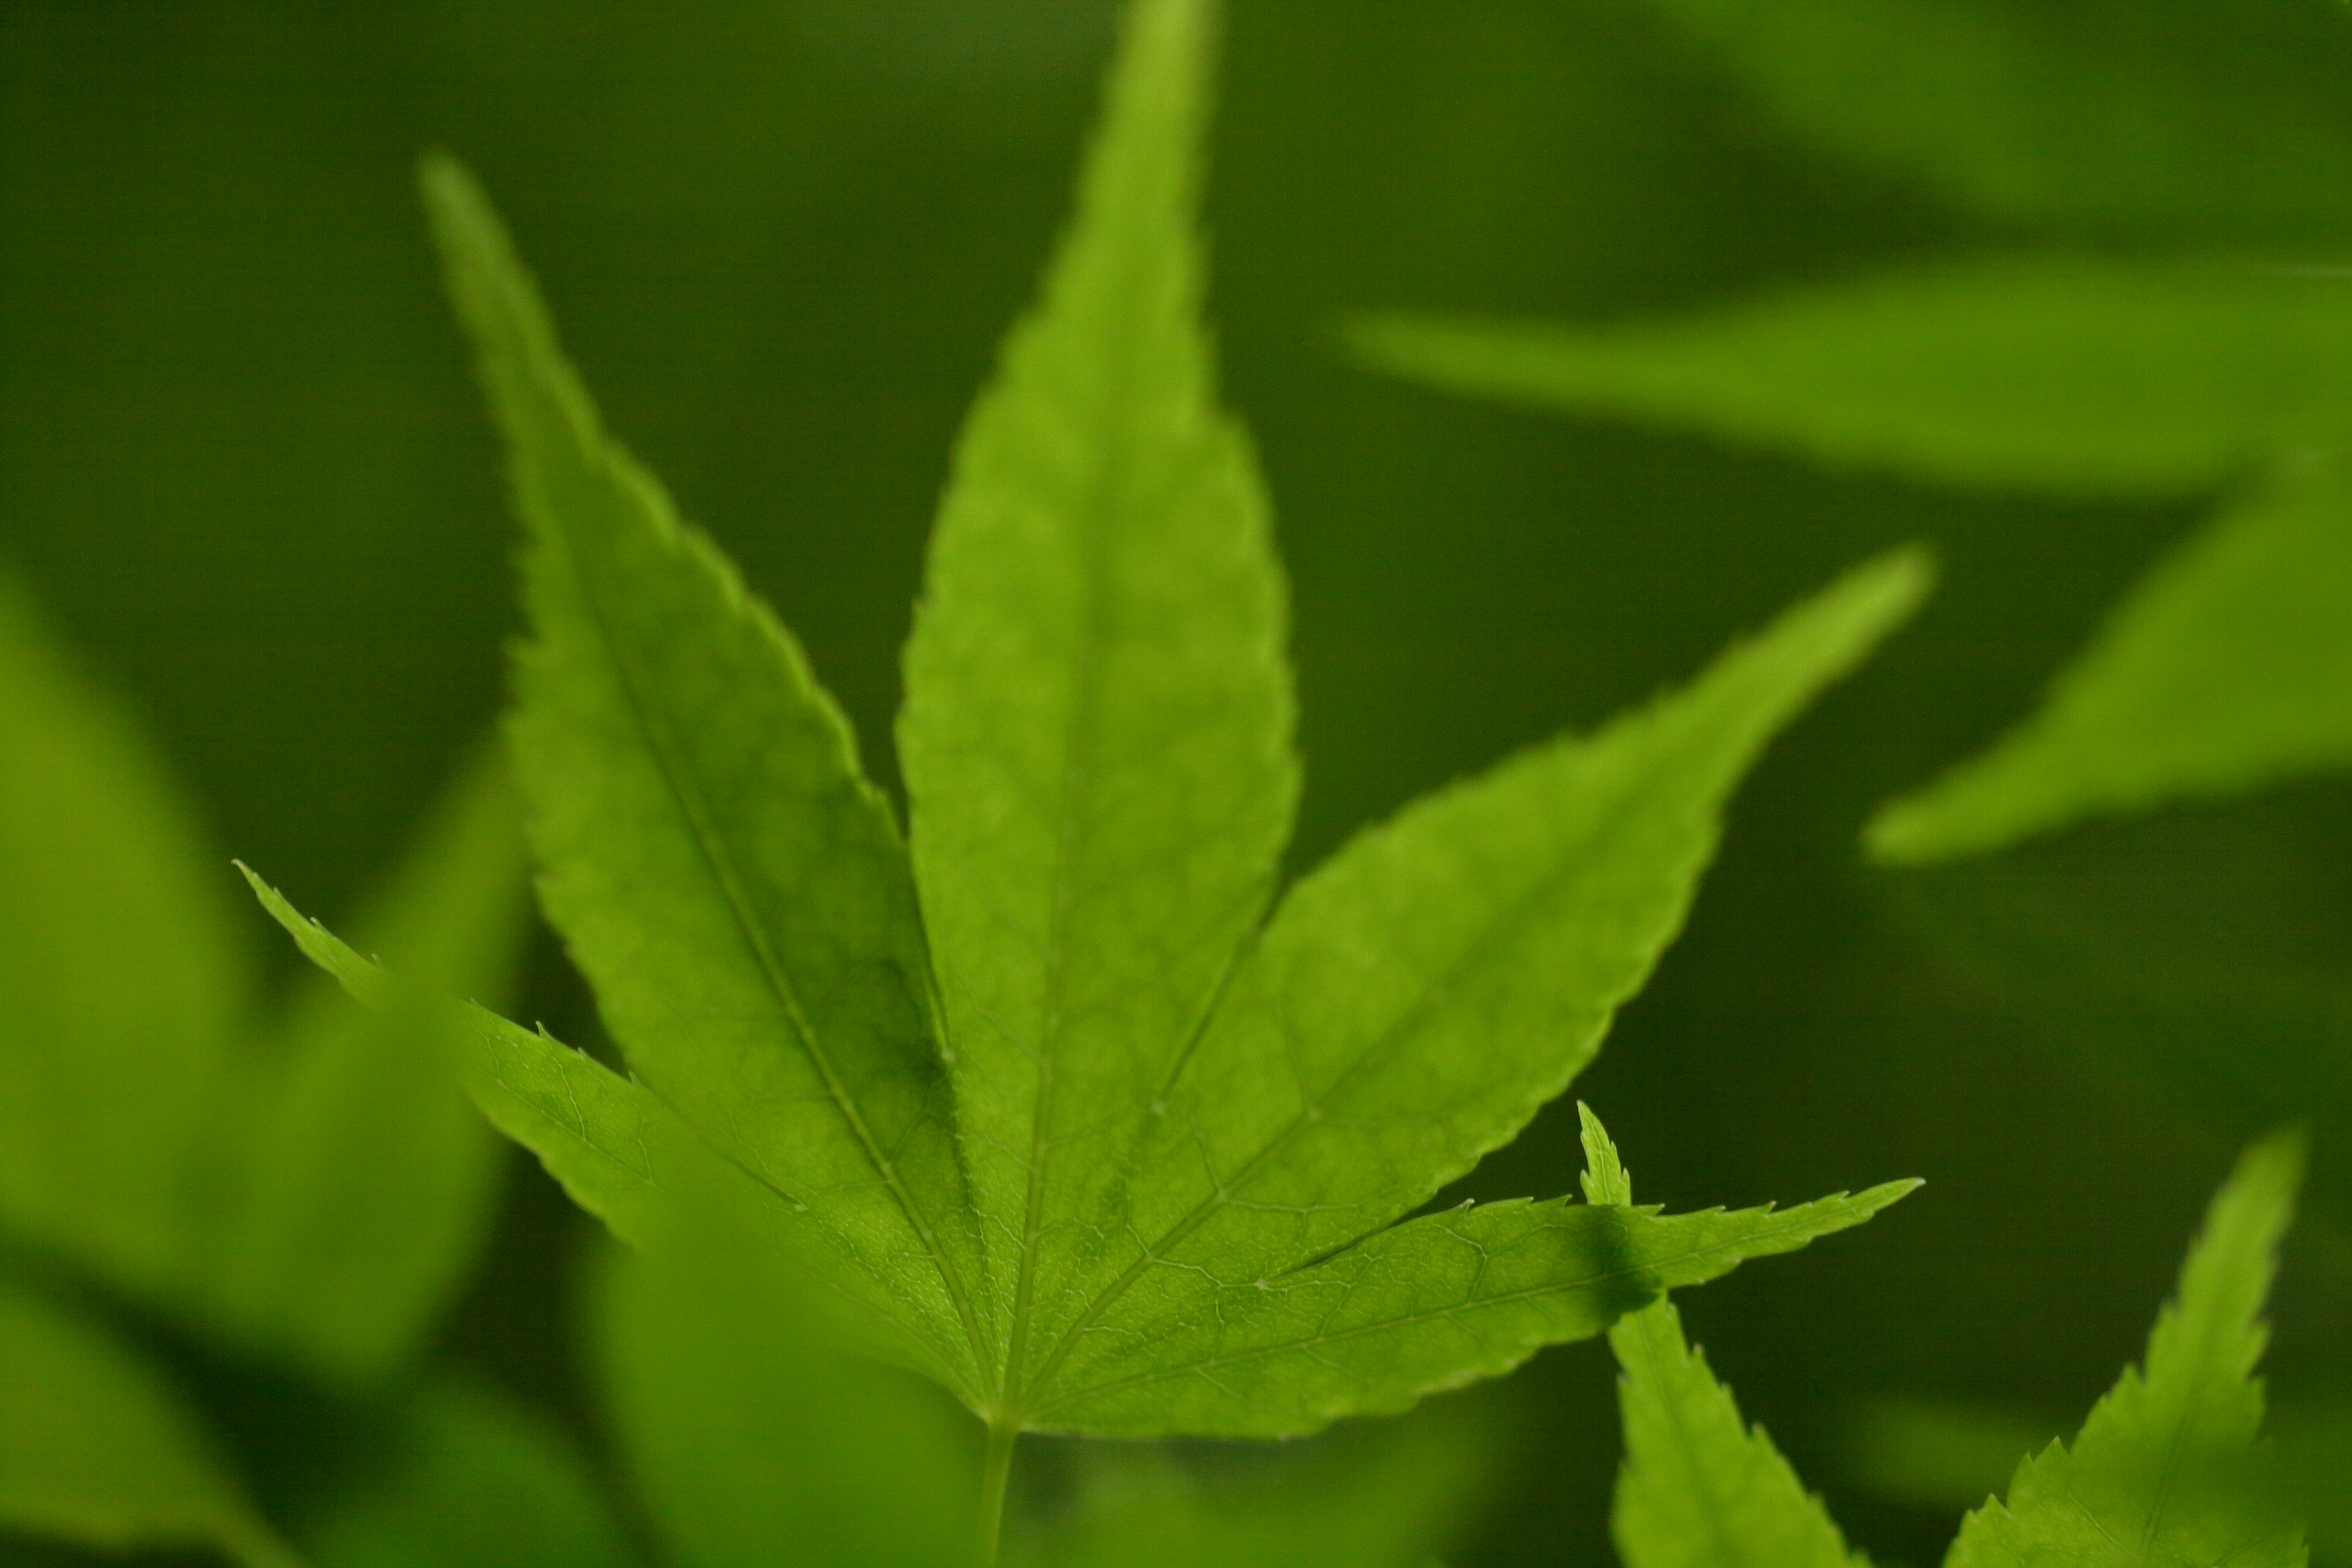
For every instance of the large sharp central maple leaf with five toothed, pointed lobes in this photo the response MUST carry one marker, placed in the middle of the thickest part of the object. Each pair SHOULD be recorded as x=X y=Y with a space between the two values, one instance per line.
x=1182 y=1217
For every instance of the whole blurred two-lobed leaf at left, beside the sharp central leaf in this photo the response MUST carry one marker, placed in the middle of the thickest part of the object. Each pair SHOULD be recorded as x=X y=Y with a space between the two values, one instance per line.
x=312 y=1198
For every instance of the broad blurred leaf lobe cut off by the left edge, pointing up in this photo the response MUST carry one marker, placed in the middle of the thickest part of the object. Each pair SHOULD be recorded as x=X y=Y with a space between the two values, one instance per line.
x=121 y=977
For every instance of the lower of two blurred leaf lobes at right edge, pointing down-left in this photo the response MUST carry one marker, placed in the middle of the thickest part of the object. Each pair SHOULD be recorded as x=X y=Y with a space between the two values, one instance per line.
x=2226 y=669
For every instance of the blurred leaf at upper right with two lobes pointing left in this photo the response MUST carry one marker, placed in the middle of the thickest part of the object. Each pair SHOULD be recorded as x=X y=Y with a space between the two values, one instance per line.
x=2229 y=669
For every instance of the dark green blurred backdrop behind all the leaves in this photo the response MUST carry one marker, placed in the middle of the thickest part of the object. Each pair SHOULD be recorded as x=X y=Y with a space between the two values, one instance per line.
x=246 y=469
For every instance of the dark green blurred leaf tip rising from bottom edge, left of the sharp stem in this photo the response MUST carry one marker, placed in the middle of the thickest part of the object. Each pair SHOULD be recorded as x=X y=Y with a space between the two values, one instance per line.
x=469 y=1482
